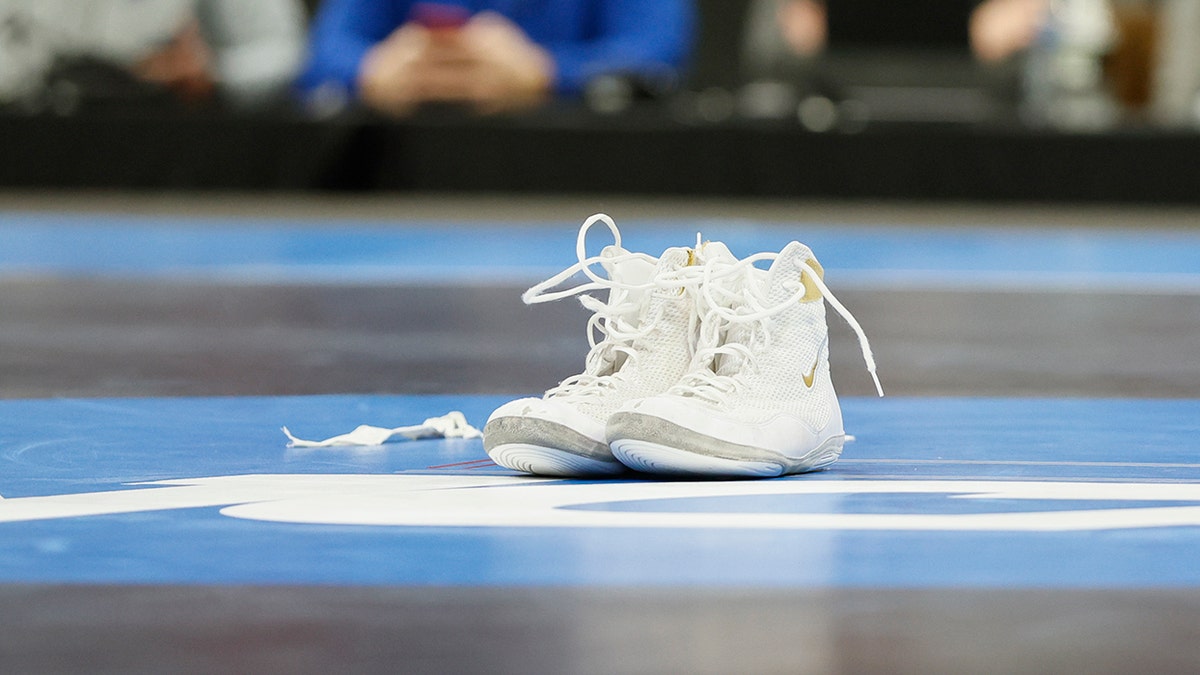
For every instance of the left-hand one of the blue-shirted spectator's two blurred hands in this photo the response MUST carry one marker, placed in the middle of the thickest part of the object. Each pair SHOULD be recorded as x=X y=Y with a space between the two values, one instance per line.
x=392 y=76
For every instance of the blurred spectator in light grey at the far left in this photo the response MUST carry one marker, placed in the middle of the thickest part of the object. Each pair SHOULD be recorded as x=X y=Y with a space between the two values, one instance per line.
x=245 y=51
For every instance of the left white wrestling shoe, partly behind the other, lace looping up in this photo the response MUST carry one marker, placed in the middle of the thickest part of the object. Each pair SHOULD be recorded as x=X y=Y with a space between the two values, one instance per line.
x=647 y=334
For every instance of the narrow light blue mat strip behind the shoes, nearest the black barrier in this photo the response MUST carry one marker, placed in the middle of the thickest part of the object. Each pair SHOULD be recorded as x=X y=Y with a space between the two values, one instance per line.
x=279 y=252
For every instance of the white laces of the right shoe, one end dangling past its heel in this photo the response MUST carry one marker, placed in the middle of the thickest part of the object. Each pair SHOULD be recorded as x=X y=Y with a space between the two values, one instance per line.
x=715 y=387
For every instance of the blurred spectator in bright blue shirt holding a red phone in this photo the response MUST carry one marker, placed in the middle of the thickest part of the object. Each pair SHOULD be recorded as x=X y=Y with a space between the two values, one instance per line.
x=493 y=56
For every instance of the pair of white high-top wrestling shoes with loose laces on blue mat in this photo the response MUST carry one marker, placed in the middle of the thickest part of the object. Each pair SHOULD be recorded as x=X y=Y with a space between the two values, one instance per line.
x=700 y=365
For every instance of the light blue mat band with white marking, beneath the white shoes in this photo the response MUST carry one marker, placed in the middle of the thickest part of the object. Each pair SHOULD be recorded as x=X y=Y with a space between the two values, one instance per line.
x=934 y=493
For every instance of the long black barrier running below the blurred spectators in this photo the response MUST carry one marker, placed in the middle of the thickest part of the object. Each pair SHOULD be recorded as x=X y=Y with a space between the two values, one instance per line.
x=579 y=152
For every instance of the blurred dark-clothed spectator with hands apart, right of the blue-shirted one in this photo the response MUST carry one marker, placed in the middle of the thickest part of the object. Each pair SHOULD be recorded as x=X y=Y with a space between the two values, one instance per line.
x=841 y=64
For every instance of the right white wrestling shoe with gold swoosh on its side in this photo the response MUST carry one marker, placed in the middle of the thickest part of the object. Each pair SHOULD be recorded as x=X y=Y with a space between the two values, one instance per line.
x=758 y=401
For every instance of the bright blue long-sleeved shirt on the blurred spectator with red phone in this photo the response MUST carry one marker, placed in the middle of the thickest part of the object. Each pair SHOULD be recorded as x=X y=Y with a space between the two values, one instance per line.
x=585 y=38
